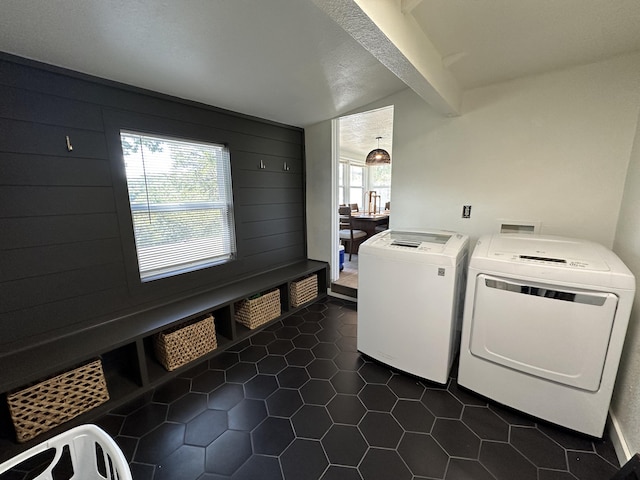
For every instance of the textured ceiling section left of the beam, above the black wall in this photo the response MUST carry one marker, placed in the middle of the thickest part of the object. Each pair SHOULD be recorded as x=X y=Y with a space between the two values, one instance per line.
x=282 y=60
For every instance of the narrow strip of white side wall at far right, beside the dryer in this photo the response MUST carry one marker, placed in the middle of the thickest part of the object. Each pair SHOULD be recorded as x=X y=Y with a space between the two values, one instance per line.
x=625 y=407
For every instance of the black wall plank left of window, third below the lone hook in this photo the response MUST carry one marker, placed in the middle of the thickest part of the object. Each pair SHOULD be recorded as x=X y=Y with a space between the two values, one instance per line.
x=36 y=231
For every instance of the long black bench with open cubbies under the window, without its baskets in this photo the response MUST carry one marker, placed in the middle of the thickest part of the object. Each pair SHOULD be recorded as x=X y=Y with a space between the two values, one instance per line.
x=125 y=344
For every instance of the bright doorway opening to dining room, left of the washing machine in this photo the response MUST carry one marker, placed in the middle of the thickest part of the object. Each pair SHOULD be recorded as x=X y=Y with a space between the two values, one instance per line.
x=365 y=188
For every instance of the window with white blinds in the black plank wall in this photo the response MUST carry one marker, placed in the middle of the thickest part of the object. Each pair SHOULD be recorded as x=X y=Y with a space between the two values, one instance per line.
x=181 y=203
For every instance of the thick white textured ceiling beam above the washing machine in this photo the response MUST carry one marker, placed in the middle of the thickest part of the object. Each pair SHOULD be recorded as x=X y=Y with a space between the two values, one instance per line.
x=399 y=44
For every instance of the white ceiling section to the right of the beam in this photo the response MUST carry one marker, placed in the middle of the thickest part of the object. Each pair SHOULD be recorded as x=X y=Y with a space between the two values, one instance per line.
x=489 y=41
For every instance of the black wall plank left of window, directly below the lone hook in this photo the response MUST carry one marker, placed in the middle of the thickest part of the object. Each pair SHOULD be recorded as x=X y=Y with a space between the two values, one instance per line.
x=32 y=169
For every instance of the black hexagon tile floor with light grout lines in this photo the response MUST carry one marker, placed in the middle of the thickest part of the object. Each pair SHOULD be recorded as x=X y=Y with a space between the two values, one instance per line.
x=296 y=401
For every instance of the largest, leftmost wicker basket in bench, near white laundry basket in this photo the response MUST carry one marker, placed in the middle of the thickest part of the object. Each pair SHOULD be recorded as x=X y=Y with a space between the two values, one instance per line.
x=39 y=408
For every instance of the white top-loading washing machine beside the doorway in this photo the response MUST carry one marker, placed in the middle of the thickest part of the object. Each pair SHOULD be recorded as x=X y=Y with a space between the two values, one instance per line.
x=410 y=288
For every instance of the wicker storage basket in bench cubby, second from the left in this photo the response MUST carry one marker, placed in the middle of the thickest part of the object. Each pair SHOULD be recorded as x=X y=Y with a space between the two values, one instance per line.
x=184 y=343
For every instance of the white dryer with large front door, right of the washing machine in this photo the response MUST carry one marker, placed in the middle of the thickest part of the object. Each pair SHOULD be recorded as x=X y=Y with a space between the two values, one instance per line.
x=544 y=324
